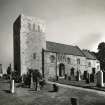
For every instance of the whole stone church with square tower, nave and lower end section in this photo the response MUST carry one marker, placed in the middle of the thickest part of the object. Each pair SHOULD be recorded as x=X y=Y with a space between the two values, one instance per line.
x=31 y=50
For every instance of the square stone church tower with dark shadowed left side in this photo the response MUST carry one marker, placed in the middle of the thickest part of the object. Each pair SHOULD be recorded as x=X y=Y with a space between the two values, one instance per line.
x=29 y=41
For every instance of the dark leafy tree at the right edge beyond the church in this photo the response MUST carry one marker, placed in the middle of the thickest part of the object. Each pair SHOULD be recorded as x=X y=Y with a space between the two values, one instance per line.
x=101 y=55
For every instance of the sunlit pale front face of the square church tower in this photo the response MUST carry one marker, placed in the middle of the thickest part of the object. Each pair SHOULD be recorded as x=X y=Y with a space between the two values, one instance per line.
x=32 y=37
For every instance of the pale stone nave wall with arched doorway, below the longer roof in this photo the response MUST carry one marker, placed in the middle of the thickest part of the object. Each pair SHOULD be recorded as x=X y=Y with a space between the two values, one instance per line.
x=51 y=69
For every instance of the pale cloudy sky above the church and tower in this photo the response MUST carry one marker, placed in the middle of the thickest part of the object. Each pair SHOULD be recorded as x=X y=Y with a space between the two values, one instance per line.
x=72 y=22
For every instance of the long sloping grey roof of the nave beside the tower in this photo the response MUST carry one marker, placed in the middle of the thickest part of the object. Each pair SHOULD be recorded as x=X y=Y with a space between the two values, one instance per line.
x=63 y=48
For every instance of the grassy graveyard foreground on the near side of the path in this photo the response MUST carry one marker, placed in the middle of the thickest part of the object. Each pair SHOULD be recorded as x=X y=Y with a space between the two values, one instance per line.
x=28 y=96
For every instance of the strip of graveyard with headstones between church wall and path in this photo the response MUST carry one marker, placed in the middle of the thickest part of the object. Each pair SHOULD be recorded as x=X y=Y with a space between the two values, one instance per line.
x=90 y=81
